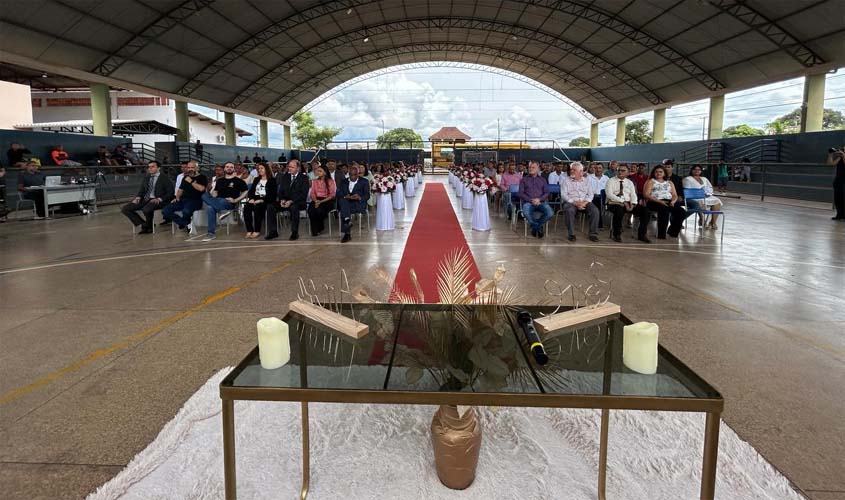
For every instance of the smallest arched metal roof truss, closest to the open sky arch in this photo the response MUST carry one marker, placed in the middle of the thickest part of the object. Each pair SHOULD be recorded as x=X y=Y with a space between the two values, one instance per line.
x=424 y=50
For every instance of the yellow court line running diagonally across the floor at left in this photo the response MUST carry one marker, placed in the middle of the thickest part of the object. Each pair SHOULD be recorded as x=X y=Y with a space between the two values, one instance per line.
x=99 y=353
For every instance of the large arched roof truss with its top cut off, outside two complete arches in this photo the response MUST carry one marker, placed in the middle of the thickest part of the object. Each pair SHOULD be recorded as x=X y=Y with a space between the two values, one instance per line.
x=573 y=8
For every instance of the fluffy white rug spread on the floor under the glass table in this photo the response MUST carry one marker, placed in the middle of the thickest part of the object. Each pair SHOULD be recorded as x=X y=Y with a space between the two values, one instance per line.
x=384 y=451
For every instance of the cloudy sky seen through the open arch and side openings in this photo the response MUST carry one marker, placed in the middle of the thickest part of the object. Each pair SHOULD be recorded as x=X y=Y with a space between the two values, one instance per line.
x=484 y=104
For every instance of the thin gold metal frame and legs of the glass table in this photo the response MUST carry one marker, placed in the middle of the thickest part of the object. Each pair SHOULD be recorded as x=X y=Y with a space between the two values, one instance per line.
x=605 y=402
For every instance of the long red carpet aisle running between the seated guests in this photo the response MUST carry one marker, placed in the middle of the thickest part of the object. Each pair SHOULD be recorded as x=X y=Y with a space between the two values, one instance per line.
x=435 y=233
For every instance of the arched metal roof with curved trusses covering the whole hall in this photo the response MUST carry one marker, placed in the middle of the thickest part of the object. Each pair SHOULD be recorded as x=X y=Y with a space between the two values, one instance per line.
x=271 y=58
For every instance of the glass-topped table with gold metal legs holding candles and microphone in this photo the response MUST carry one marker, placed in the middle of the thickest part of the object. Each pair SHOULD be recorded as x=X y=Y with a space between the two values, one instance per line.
x=466 y=355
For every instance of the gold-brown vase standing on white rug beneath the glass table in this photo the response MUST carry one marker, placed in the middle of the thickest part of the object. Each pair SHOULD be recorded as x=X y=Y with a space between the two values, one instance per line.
x=457 y=442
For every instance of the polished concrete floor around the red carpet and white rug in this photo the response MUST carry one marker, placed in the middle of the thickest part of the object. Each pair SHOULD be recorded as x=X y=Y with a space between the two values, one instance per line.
x=104 y=336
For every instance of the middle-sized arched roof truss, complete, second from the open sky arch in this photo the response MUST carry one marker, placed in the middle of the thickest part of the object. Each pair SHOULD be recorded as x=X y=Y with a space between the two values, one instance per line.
x=443 y=23
